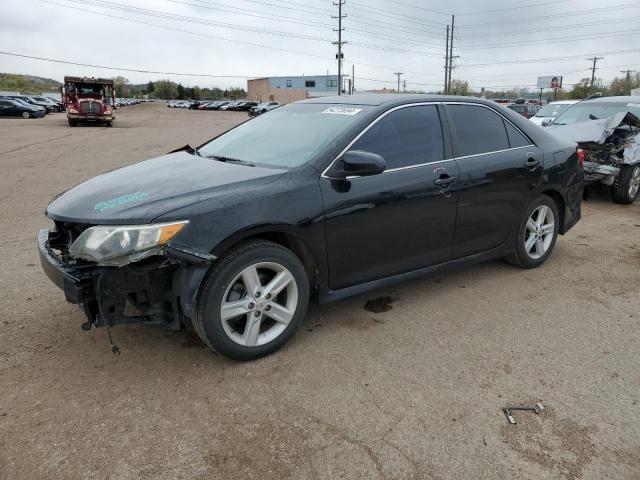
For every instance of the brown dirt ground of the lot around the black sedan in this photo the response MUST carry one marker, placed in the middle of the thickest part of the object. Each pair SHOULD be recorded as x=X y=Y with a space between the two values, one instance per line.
x=410 y=387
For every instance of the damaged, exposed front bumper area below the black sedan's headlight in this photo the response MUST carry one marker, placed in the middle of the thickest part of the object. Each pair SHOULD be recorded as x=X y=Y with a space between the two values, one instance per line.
x=159 y=290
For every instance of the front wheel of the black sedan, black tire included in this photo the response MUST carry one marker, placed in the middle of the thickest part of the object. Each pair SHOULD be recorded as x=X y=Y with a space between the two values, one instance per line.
x=226 y=286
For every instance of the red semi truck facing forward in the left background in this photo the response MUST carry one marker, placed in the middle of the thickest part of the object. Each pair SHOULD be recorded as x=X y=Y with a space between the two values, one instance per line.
x=89 y=99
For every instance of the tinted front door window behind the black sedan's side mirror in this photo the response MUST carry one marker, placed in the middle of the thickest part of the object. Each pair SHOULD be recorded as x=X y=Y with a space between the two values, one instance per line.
x=406 y=137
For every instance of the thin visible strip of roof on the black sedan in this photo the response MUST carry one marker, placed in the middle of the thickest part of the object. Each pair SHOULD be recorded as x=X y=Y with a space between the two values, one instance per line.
x=392 y=99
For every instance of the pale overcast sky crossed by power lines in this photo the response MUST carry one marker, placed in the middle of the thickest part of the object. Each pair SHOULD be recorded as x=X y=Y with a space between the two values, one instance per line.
x=253 y=38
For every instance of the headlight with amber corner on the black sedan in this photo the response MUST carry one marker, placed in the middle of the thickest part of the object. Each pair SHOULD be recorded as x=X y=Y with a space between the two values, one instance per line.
x=120 y=245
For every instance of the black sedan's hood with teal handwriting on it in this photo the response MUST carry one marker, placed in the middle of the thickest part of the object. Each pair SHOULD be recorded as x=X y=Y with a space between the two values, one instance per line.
x=141 y=192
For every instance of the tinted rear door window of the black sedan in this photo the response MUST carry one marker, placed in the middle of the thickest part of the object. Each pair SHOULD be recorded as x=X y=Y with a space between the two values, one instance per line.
x=477 y=130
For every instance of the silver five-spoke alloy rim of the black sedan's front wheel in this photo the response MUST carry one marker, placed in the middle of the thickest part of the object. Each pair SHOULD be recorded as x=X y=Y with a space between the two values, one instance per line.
x=259 y=304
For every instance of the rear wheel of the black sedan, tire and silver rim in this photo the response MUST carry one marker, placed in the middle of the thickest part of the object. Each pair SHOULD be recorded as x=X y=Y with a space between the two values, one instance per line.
x=532 y=245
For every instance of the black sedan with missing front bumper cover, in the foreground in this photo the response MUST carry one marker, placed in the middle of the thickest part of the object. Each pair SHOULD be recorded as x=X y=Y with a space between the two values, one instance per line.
x=312 y=202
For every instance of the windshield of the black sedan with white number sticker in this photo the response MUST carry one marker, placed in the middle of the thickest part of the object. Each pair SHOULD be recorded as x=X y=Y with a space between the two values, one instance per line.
x=289 y=136
